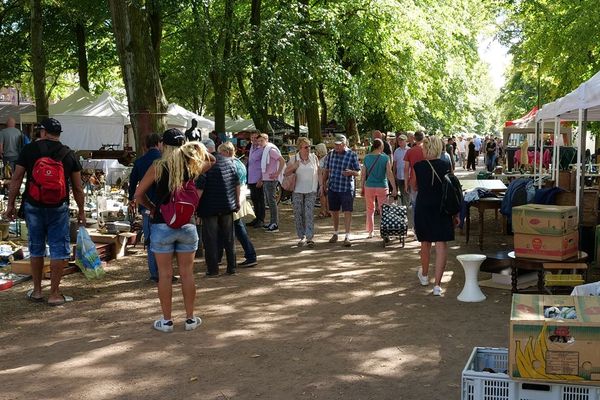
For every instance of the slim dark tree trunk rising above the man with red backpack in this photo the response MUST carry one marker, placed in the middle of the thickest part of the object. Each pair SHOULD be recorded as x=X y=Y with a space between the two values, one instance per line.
x=38 y=61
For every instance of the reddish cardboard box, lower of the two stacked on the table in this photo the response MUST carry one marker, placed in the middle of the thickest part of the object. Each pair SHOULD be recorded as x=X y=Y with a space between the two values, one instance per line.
x=541 y=247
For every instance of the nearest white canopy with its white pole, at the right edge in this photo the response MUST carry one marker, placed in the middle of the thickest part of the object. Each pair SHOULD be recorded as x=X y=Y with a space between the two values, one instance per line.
x=582 y=105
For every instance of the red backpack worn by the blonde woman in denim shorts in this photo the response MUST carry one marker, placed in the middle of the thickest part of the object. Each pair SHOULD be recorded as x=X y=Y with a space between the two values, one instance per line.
x=181 y=206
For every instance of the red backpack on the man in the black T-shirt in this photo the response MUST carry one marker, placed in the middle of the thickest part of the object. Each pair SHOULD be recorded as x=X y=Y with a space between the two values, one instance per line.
x=47 y=184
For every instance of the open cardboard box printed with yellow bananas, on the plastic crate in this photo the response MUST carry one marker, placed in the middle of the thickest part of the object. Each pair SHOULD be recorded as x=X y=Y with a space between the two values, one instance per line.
x=555 y=338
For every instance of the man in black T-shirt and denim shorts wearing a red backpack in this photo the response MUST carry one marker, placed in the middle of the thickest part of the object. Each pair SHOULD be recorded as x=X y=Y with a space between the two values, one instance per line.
x=51 y=168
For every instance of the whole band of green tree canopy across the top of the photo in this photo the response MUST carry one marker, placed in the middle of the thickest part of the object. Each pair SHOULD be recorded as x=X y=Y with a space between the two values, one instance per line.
x=368 y=64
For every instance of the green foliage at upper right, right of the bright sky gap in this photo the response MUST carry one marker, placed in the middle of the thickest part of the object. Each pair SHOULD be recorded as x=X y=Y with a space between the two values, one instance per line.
x=557 y=39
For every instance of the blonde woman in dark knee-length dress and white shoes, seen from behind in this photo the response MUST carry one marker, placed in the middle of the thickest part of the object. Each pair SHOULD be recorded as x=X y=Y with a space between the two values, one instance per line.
x=431 y=224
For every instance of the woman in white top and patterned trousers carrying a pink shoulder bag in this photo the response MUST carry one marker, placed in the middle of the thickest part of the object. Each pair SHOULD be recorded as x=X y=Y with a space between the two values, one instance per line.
x=306 y=167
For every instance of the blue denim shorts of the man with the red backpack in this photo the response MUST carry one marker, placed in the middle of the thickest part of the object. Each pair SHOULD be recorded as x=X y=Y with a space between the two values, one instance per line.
x=51 y=224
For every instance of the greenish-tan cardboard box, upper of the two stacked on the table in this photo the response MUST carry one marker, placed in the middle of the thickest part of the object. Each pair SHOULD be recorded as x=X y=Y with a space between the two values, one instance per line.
x=544 y=219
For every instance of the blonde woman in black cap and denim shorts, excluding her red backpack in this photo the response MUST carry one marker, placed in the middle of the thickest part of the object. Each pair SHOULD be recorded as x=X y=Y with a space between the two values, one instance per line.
x=180 y=163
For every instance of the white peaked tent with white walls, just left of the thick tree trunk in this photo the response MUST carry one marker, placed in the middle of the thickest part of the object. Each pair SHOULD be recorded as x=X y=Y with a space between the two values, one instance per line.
x=99 y=123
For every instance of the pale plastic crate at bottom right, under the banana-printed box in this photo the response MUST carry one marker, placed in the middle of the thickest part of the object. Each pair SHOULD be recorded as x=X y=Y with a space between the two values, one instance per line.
x=478 y=384
